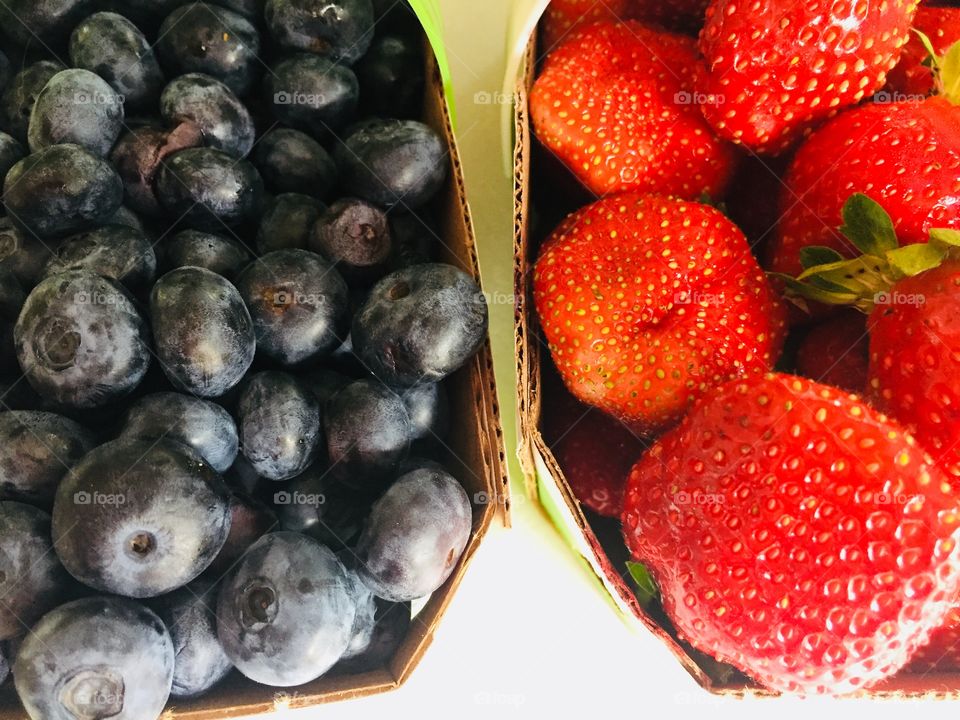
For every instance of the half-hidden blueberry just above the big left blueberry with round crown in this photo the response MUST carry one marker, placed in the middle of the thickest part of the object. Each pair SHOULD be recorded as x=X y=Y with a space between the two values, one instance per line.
x=113 y=251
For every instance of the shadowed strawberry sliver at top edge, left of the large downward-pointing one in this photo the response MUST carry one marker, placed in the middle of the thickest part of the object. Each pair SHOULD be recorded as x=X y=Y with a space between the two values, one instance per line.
x=563 y=16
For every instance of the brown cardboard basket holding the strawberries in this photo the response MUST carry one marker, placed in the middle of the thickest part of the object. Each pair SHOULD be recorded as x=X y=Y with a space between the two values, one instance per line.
x=598 y=540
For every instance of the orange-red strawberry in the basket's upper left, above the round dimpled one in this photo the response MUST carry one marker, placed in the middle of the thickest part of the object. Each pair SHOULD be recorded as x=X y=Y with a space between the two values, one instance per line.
x=616 y=104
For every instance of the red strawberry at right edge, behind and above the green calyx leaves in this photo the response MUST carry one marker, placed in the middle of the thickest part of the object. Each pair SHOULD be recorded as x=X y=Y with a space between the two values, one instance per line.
x=906 y=155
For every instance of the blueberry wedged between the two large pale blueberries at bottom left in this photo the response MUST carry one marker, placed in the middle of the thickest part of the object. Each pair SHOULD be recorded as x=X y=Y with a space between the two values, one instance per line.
x=190 y=616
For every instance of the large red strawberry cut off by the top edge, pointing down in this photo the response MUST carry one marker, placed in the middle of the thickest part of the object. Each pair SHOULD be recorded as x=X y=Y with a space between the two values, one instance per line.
x=778 y=67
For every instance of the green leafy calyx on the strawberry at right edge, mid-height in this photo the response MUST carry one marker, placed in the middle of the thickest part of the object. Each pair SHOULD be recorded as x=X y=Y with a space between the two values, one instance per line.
x=831 y=279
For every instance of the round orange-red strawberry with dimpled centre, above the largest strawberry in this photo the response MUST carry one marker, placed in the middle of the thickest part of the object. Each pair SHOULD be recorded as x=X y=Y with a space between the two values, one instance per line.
x=646 y=301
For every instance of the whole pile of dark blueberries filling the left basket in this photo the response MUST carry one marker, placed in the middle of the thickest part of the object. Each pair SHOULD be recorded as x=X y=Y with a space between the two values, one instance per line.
x=223 y=344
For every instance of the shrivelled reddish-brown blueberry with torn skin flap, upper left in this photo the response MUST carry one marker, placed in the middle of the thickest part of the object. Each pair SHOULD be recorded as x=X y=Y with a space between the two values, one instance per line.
x=138 y=156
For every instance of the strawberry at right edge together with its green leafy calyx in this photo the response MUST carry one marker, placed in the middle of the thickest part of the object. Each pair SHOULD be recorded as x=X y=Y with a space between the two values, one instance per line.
x=911 y=294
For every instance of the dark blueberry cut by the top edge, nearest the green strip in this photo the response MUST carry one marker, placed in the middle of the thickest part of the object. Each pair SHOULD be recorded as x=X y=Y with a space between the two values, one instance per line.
x=339 y=29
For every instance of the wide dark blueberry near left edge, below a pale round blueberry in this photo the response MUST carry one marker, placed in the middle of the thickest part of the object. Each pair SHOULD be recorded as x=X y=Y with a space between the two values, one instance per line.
x=60 y=190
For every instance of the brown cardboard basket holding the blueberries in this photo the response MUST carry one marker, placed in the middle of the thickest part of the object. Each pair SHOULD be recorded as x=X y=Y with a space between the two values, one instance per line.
x=476 y=457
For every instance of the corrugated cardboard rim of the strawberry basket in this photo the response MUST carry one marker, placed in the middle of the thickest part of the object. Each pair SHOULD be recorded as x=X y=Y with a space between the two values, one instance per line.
x=544 y=479
